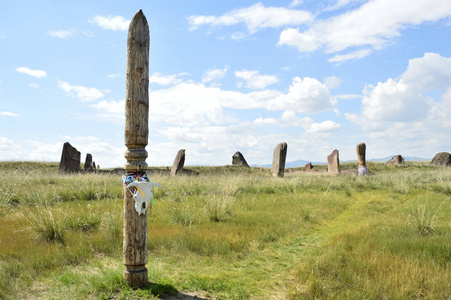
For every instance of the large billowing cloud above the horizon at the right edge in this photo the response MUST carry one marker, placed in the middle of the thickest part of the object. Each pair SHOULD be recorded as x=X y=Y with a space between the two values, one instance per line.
x=398 y=117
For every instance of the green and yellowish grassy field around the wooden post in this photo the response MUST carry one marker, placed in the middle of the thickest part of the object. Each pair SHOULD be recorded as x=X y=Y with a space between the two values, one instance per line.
x=231 y=233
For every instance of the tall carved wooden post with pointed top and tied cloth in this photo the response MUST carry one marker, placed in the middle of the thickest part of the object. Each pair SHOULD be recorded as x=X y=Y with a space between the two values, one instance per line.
x=136 y=135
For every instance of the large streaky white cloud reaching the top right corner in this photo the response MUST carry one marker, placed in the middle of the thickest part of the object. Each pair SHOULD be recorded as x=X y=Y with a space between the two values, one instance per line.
x=372 y=24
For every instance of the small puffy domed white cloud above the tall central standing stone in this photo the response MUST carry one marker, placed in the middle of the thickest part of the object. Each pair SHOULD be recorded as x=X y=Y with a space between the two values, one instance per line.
x=306 y=95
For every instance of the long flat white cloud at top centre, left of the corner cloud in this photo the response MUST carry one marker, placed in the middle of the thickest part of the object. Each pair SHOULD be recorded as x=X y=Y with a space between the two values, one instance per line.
x=255 y=18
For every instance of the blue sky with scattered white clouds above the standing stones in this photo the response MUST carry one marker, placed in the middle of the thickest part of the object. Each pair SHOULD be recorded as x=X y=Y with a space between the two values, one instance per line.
x=228 y=76
